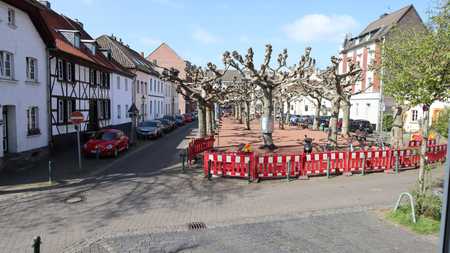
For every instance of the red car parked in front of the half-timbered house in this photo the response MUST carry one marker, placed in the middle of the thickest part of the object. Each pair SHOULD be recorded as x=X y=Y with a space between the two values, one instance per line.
x=107 y=142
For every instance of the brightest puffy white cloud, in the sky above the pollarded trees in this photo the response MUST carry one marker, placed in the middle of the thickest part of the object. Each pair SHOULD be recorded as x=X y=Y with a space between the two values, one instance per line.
x=319 y=27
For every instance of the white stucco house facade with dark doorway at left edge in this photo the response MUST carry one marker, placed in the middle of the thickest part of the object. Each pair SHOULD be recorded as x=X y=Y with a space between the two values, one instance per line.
x=18 y=93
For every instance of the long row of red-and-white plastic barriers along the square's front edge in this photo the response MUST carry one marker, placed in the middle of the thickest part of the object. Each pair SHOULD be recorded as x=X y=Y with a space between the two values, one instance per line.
x=253 y=166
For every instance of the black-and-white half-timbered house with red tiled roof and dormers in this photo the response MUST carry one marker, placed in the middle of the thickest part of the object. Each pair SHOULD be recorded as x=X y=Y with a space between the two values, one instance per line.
x=79 y=78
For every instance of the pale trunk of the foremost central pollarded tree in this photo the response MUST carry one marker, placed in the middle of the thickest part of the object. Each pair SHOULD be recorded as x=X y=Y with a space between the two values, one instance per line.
x=267 y=119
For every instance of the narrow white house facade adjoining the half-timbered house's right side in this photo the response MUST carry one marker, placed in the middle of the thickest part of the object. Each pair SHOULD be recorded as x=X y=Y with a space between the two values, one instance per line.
x=121 y=98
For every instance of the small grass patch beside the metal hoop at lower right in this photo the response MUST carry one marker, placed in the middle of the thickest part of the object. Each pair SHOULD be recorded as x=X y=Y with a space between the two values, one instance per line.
x=424 y=225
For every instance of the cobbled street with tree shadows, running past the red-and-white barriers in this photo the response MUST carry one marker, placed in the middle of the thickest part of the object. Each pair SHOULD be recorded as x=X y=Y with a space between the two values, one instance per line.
x=146 y=192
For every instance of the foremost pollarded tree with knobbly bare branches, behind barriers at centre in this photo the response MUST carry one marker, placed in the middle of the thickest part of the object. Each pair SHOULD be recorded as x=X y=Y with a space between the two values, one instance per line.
x=267 y=79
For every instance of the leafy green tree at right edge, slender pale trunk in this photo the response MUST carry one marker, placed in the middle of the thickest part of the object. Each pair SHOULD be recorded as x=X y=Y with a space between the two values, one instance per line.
x=415 y=69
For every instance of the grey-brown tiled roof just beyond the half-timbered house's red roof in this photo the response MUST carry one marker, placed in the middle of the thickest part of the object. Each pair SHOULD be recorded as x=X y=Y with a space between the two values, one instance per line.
x=126 y=56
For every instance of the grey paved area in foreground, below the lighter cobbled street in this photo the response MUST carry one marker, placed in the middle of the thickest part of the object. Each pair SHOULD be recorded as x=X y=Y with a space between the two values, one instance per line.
x=338 y=232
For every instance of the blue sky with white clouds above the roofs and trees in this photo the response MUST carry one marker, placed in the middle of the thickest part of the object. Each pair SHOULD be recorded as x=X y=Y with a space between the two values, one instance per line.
x=201 y=30
